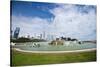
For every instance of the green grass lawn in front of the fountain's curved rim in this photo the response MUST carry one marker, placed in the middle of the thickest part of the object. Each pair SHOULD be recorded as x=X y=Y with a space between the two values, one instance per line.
x=22 y=58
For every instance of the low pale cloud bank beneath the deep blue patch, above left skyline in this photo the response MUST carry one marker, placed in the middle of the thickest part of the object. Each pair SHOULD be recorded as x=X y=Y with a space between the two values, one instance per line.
x=28 y=25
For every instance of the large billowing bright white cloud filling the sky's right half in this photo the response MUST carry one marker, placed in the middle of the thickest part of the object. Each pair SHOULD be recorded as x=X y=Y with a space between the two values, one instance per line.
x=70 y=22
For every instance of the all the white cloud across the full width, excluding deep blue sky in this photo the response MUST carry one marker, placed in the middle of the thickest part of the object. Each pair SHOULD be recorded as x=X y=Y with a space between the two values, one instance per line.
x=68 y=22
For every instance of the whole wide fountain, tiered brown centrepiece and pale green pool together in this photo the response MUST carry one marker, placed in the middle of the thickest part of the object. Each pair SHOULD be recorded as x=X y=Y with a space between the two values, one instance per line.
x=58 y=45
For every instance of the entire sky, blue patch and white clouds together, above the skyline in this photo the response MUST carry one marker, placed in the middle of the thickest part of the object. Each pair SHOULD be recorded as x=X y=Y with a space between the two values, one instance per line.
x=70 y=20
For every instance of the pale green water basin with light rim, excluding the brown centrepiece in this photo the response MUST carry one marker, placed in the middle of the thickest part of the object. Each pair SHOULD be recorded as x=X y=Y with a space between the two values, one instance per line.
x=44 y=47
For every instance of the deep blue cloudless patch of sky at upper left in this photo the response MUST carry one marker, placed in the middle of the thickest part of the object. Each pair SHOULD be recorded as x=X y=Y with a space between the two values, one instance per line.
x=32 y=9
